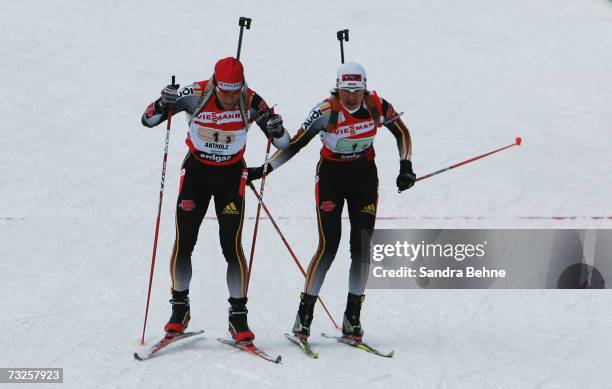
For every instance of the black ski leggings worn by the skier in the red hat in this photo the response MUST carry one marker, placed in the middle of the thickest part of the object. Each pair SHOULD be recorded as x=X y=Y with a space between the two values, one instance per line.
x=200 y=182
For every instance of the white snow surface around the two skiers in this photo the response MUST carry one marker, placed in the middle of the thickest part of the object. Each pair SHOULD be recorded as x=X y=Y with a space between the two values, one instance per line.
x=79 y=179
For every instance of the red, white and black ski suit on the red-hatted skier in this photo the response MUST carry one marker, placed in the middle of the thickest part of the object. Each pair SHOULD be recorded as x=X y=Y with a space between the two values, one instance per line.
x=213 y=168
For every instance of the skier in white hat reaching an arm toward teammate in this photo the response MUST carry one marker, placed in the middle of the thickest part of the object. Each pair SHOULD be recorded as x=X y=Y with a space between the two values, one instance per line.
x=347 y=123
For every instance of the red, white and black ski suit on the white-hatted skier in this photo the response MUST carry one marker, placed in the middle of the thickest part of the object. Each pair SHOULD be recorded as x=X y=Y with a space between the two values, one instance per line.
x=346 y=171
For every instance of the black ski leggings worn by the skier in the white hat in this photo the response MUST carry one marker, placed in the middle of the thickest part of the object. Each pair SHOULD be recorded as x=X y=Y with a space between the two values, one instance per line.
x=357 y=182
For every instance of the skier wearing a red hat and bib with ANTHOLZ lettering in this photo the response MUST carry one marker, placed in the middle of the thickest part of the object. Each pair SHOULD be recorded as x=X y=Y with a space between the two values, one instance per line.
x=220 y=111
